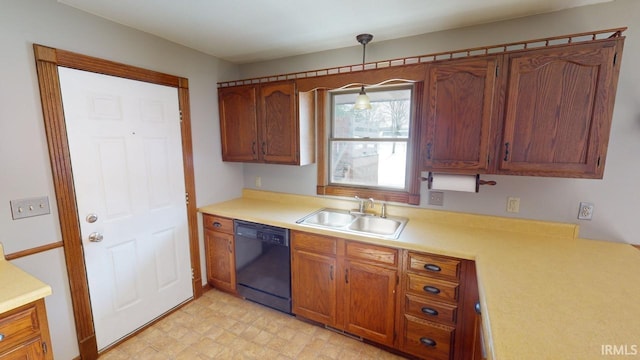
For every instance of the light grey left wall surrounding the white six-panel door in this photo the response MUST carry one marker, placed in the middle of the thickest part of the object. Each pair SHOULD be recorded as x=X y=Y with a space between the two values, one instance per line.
x=24 y=160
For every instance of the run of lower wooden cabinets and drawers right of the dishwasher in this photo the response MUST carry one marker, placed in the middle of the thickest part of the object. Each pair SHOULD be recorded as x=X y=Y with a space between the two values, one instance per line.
x=420 y=304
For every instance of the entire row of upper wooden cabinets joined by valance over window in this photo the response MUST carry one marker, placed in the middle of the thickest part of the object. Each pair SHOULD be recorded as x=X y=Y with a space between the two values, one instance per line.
x=540 y=107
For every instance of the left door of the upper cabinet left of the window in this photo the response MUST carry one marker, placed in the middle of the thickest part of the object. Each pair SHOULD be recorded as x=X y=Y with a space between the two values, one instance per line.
x=238 y=123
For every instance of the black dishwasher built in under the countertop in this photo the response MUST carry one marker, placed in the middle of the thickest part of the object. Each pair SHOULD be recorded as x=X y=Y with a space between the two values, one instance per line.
x=263 y=265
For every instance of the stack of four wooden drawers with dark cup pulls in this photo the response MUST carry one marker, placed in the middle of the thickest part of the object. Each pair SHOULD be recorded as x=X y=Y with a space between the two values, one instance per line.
x=438 y=311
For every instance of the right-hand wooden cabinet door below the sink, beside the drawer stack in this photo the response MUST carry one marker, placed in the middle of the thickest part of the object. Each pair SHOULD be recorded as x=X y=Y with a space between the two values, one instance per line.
x=369 y=301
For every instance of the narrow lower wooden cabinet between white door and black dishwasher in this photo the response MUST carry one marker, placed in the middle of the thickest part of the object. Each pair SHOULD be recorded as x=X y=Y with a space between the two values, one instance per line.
x=220 y=252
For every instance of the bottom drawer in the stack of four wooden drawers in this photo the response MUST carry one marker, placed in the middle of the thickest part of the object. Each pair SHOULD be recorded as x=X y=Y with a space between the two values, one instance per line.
x=427 y=340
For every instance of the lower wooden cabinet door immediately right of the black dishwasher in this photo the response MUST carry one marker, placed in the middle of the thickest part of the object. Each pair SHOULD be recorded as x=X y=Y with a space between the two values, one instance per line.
x=313 y=286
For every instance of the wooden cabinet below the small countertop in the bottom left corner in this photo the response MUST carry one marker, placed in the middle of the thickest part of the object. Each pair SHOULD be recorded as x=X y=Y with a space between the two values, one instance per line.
x=24 y=333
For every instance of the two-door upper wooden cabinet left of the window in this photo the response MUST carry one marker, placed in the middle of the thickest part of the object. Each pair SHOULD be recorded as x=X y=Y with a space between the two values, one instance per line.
x=269 y=123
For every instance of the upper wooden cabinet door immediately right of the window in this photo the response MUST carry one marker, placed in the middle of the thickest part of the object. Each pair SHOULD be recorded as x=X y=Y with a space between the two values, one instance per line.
x=461 y=105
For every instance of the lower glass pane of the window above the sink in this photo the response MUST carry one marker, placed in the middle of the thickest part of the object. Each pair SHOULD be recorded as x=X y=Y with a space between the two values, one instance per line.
x=369 y=163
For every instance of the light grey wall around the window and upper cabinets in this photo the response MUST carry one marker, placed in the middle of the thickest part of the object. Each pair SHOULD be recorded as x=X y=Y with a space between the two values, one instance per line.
x=615 y=197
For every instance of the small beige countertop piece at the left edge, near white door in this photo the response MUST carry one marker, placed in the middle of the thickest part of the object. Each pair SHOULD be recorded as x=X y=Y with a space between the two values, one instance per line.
x=18 y=288
